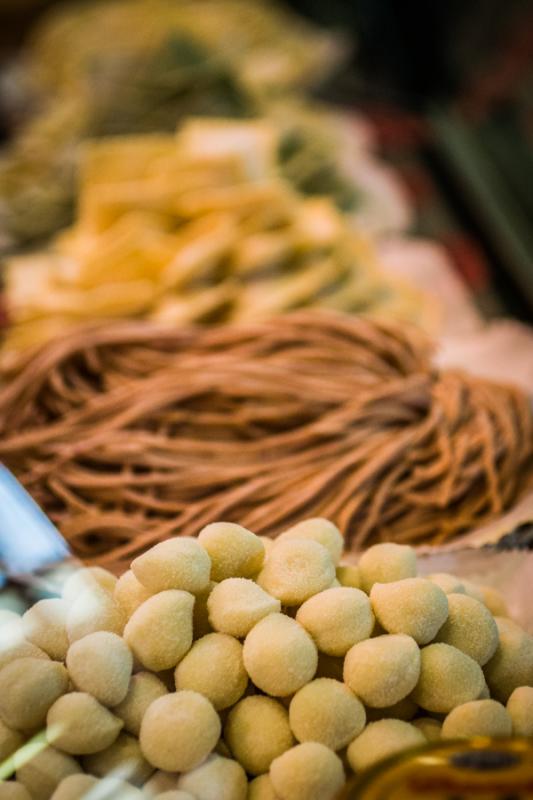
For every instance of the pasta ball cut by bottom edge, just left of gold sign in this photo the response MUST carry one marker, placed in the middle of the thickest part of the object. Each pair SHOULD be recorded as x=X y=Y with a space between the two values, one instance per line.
x=308 y=771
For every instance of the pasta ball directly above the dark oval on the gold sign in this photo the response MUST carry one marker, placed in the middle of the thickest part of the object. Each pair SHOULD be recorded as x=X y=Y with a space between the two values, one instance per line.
x=477 y=718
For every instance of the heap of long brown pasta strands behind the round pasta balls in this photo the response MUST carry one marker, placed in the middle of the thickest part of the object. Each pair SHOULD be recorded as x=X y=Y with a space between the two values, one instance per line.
x=131 y=432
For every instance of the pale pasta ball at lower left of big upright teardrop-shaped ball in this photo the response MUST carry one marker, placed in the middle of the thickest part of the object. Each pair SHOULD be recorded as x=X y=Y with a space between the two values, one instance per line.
x=101 y=664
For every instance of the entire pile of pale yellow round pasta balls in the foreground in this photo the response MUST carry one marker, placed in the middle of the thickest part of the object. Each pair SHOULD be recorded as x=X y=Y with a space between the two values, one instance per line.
x=235 y=667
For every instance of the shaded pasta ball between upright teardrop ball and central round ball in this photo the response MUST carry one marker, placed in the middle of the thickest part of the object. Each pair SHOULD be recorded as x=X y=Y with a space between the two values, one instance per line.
x=214 y=667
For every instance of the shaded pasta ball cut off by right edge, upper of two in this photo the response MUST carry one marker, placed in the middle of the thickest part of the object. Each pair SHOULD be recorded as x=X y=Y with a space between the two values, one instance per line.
x=511 y=665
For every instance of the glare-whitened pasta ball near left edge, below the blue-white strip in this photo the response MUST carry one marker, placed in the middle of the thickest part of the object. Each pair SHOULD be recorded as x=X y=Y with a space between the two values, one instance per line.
x=44 y=624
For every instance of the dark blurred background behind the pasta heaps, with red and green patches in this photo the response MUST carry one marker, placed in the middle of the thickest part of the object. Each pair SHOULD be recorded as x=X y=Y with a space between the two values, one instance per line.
x=448 y=89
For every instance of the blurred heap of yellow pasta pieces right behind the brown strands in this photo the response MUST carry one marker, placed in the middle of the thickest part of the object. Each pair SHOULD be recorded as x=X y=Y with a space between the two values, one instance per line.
x=198 y=227
